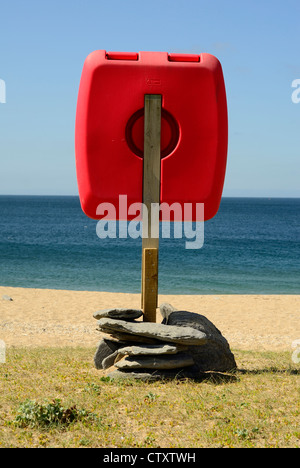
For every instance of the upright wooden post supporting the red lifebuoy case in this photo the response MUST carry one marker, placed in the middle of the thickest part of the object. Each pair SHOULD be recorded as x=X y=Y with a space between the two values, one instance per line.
x=151 y=195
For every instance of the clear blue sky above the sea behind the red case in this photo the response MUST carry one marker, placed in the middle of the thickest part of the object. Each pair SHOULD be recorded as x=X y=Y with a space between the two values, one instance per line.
x=43 y=45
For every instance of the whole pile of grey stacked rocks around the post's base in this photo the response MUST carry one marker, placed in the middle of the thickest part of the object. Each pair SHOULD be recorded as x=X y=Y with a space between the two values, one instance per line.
x=184 y=345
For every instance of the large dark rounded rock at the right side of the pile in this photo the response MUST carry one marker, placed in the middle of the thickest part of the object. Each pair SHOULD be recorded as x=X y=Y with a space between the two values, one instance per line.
x=215 y=355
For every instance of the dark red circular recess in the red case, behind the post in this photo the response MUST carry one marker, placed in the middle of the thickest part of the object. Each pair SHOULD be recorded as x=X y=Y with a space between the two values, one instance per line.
x=134 y=133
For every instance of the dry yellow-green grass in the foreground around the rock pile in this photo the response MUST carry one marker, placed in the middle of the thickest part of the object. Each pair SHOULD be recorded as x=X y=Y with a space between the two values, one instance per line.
x=56 y=398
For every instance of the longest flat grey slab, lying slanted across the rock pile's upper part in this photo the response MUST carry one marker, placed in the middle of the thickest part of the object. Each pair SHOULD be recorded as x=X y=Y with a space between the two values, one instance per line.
x=167 y=333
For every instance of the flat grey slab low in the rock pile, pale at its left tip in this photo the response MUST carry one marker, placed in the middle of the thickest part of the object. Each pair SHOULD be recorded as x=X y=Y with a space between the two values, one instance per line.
x=156 y=362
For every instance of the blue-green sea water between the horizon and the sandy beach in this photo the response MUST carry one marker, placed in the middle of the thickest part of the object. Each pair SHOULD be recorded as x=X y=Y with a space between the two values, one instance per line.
x=252 y=246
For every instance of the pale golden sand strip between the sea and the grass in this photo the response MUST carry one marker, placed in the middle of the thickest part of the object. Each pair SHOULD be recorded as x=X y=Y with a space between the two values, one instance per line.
x=51 y=318
